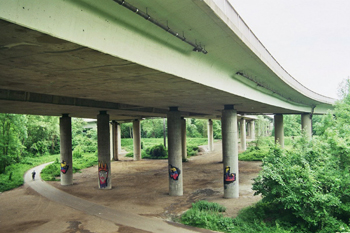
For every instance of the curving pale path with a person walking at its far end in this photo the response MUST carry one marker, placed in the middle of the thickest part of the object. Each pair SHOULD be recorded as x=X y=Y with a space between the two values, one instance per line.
x=119 y=217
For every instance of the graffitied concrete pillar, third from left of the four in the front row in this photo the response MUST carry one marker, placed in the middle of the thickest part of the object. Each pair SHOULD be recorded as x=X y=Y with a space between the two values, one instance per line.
x=175 y=152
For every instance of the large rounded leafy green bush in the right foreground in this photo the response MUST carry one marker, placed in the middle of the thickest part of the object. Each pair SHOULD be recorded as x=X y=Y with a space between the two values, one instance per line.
x=308 y=184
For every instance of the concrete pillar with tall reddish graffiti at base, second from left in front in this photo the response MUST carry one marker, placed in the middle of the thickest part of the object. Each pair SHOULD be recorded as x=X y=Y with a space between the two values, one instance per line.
x=103 y=141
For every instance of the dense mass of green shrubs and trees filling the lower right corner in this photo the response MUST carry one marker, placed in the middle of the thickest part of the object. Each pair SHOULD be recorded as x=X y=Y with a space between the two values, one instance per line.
x=305 y=188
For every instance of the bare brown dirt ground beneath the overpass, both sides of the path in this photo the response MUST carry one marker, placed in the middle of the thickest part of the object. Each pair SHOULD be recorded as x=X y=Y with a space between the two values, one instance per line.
x=139 y=187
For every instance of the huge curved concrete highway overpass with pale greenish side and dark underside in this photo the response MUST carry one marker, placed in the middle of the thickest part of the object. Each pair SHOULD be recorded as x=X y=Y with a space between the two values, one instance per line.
x=126 y=60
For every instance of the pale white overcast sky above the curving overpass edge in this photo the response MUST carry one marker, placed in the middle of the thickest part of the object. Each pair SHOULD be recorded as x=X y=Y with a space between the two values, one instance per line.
x=309 y=38
